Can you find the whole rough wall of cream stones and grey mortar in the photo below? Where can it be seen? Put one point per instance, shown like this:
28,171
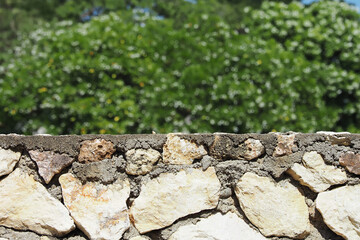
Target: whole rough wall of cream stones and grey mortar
180,186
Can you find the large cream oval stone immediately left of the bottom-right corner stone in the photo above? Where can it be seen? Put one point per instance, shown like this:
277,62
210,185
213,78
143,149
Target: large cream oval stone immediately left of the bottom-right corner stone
277,209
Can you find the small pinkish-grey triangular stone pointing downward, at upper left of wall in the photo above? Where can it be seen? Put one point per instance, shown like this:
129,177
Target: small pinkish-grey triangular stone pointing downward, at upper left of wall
50,163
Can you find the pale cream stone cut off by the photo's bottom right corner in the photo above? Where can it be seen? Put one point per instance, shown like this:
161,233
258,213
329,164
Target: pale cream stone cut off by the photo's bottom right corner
340,209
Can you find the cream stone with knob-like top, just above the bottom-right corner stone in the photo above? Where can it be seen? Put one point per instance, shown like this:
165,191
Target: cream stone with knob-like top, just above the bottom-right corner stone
315,174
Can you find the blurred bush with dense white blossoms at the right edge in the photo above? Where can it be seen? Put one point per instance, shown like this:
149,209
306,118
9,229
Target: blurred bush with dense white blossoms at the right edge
327,35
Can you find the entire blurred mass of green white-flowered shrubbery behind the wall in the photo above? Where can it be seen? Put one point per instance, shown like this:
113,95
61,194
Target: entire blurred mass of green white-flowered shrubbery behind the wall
136,66
